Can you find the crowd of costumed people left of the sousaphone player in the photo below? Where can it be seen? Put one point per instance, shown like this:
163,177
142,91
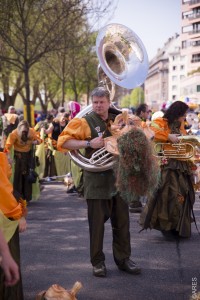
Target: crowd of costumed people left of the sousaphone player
24,159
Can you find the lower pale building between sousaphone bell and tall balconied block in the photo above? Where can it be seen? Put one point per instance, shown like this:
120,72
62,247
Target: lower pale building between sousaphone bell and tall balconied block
161,70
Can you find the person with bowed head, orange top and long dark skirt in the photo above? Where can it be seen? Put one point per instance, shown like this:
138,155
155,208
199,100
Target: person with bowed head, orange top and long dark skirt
22,140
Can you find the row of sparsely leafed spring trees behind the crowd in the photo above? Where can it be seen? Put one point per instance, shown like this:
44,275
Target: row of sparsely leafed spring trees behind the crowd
47,49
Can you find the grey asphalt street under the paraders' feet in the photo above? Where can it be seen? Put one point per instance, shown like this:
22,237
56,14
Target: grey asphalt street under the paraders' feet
55,249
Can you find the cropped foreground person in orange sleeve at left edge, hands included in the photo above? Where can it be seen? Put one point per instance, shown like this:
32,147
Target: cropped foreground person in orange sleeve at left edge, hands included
12,221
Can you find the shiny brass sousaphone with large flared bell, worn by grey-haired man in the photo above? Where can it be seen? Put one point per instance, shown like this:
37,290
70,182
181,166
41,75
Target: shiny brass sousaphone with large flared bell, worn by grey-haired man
123,61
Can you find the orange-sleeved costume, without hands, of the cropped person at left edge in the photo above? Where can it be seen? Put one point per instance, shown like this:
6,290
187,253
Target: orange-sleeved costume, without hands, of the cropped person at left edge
10,212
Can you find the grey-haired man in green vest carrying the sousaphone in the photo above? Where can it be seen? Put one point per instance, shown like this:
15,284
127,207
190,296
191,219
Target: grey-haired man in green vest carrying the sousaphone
99,187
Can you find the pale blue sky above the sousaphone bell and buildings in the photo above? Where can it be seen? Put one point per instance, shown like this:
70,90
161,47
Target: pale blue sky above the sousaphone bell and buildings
154,21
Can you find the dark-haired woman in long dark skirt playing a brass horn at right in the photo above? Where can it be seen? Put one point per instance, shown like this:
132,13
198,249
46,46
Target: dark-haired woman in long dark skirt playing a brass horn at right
172,205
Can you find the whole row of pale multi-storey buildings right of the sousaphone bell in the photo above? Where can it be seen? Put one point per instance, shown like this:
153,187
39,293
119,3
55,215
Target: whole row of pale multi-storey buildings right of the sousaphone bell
174,73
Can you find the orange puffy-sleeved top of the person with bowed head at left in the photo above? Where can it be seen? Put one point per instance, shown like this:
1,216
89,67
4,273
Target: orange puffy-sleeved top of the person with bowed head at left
14,140
